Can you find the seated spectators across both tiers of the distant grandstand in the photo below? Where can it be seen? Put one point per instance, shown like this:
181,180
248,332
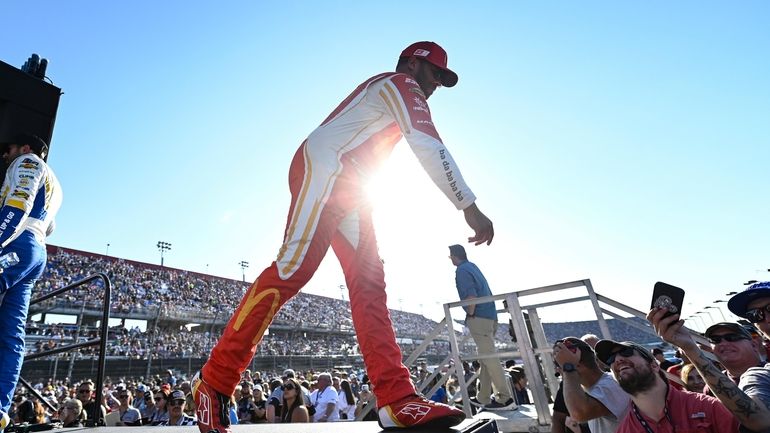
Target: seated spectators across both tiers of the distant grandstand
165,293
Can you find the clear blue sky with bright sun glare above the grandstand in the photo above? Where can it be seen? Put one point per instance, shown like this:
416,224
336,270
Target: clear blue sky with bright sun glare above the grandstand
623,142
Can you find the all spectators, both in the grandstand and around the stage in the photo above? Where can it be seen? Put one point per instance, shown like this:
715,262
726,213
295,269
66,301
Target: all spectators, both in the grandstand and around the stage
738,376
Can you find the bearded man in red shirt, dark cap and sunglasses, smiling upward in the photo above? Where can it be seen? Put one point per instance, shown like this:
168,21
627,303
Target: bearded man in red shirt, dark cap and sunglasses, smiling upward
656,406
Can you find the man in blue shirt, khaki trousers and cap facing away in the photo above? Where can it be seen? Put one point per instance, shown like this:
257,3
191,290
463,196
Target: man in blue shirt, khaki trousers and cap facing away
481,320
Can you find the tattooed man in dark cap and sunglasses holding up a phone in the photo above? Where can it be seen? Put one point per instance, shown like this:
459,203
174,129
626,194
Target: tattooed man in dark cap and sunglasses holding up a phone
749,400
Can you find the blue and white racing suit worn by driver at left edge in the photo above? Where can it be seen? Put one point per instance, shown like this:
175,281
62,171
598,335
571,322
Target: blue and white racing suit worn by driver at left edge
30,197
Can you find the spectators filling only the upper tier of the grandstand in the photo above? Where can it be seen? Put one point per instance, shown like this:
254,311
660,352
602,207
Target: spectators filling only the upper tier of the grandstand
143,290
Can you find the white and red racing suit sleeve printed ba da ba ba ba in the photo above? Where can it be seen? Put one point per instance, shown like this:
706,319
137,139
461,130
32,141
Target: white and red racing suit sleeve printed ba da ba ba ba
407,104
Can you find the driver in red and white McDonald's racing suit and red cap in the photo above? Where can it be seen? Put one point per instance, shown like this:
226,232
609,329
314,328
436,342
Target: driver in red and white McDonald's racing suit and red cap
329,207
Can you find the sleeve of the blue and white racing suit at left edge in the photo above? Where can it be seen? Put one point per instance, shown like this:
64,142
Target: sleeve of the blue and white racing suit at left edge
18,195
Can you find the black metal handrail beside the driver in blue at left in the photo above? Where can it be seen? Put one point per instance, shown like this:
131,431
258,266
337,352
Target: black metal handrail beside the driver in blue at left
95,417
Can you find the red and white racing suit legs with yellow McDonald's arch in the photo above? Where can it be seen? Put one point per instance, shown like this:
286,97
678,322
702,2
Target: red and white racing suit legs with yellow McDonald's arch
327,208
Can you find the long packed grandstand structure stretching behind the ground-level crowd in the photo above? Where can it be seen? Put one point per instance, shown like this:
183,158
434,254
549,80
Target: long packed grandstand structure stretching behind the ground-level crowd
183,313
